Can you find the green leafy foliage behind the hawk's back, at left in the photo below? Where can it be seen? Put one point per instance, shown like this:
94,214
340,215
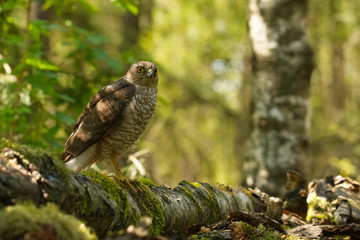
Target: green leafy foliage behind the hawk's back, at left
51,62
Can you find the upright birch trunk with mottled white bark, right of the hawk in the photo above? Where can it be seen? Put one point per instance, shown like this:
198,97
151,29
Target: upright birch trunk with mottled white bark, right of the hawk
282,66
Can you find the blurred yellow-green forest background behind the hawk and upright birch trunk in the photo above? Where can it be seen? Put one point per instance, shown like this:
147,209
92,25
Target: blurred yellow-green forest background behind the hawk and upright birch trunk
55,54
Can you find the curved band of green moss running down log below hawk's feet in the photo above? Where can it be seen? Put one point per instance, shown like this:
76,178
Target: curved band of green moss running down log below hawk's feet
150,204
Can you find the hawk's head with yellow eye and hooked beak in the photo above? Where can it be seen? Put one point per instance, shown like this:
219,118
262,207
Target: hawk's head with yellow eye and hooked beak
143,73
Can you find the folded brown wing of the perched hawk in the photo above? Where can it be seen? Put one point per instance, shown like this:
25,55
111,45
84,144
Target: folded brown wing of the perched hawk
103,110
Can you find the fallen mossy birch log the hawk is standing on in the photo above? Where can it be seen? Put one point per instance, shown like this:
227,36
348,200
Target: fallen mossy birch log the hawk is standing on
108,203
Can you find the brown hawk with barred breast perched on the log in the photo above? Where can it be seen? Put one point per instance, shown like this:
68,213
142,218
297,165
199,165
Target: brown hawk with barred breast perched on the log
114,119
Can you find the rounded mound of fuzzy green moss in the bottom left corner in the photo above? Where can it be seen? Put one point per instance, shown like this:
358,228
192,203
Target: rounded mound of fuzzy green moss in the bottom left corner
21,219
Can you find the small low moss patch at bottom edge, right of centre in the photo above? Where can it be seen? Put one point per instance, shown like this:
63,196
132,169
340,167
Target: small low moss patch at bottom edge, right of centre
242,230
